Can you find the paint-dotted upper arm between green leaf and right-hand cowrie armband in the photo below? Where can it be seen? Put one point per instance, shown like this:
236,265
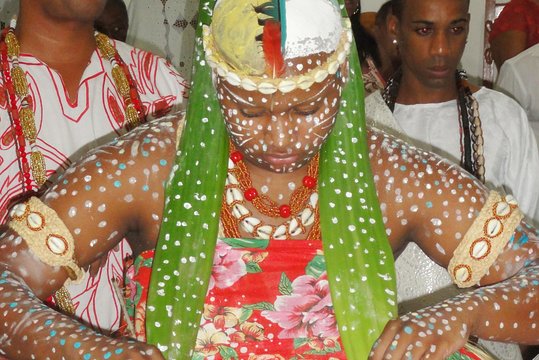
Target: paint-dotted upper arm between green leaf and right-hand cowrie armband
423,197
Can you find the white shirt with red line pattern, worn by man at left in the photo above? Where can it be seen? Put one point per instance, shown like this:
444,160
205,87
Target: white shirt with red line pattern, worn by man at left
68,128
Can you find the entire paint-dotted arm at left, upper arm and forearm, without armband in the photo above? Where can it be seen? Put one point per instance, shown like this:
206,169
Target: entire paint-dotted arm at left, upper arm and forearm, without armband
101,199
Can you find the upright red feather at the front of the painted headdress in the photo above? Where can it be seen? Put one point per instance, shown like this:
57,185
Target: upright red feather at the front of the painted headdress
273,35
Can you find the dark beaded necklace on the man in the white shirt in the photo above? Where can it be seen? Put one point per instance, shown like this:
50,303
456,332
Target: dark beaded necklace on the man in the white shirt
471,133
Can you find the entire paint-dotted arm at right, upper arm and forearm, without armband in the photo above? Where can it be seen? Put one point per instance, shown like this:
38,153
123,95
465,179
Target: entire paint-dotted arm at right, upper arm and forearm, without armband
433,203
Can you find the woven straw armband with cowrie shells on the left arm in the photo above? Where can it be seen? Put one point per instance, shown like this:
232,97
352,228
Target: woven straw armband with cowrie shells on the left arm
46,235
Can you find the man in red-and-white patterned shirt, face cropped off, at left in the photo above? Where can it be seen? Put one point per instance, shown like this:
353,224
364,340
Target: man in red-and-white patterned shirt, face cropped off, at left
75,103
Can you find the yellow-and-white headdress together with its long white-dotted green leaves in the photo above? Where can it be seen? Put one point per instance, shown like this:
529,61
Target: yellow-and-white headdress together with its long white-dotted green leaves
362,283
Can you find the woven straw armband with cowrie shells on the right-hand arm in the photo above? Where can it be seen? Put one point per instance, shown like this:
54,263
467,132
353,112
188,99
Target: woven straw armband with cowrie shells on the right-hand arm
484,240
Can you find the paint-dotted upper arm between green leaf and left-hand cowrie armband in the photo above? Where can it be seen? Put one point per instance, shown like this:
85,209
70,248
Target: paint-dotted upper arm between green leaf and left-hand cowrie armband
117,189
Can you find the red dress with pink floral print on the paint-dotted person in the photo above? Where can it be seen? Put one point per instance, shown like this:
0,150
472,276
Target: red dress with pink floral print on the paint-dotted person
266,300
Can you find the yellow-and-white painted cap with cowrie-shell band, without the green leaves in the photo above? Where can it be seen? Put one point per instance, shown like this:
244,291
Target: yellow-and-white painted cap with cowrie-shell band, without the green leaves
240,45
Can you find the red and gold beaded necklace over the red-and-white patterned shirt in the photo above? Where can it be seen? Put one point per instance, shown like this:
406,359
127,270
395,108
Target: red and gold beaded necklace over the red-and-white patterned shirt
23,119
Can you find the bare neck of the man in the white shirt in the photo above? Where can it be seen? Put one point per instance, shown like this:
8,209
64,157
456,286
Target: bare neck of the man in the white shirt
413,92
